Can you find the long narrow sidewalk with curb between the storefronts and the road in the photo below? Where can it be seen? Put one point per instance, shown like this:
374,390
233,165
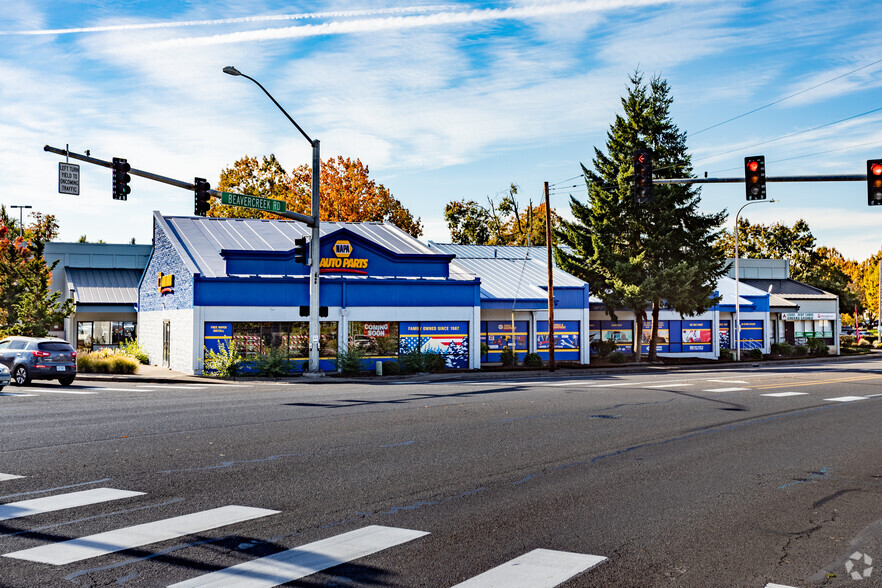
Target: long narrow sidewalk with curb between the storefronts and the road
159,375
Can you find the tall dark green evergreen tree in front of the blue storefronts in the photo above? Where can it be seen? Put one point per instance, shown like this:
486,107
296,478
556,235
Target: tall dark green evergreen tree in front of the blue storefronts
655,255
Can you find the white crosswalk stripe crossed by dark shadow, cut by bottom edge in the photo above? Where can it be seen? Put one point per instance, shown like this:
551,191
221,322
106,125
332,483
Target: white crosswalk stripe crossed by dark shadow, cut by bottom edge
304,560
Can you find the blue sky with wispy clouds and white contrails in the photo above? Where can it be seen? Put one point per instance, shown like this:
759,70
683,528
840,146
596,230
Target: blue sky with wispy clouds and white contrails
441,101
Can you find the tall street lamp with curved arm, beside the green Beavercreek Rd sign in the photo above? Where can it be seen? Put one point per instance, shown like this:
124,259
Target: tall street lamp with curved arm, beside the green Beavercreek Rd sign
314,329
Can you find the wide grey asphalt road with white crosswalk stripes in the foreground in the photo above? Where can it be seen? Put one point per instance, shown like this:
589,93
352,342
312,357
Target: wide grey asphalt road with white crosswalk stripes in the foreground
742,477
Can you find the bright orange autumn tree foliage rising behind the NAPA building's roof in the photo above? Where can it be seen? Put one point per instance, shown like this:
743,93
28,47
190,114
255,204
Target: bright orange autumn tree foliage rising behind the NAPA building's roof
348,194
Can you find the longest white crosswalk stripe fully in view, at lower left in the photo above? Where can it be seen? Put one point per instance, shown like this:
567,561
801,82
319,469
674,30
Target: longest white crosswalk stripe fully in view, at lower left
73,550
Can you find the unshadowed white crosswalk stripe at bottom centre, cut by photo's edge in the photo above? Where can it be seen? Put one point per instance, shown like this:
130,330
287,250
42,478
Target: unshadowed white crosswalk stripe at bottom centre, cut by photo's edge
540,568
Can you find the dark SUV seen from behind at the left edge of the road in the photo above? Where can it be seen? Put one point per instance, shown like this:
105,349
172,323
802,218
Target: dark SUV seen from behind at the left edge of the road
39,358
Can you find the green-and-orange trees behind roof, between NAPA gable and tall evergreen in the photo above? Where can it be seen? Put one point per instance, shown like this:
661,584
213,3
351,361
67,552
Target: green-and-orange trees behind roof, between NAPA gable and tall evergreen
502,223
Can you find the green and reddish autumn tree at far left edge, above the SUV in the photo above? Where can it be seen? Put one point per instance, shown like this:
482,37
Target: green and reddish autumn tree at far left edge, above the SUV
27,304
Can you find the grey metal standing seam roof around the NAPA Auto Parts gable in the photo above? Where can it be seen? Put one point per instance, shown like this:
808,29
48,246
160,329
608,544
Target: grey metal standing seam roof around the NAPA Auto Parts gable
204,238
